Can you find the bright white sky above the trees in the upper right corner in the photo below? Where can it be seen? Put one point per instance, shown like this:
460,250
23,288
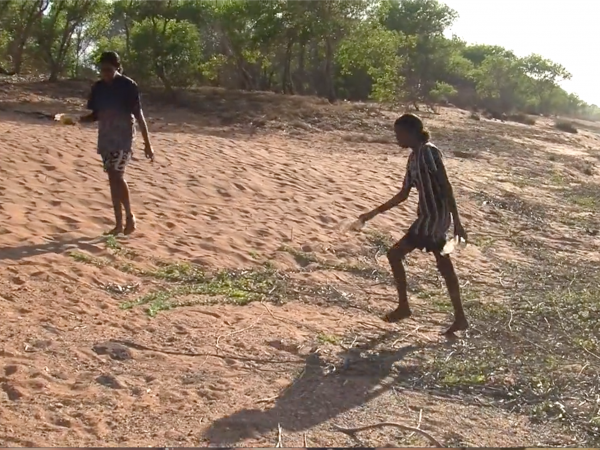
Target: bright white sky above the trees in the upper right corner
565,32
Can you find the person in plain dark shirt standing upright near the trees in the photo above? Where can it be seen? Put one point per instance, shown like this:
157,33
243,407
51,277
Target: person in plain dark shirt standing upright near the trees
115,103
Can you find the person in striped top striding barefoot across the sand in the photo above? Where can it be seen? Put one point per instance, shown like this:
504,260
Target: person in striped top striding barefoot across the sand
436,211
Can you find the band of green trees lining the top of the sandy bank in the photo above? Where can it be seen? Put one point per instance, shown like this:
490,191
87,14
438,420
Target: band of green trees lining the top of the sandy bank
384,50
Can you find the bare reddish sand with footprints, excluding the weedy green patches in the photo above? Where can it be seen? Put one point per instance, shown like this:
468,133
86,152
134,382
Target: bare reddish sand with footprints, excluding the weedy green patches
228,199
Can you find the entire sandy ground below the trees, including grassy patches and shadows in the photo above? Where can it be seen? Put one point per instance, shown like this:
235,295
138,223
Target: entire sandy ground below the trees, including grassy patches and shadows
240,312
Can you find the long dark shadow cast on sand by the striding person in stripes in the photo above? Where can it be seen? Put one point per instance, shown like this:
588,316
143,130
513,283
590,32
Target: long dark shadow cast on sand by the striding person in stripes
315,397
